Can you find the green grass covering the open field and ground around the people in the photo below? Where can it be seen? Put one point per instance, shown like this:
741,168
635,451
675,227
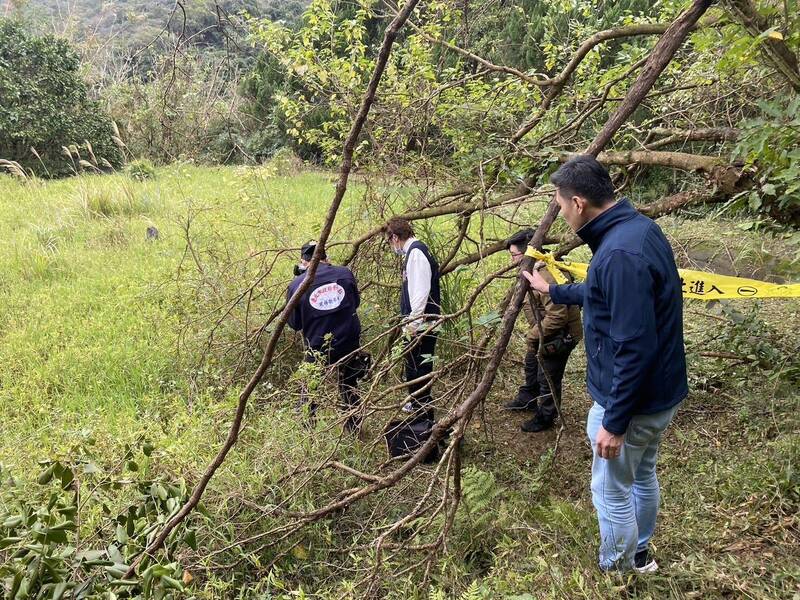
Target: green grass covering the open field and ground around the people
102,331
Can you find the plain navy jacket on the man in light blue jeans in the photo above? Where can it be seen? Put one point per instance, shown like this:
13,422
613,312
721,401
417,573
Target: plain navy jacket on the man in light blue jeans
632,317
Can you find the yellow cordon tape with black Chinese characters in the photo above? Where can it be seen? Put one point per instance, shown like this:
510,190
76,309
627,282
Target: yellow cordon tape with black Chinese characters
696,284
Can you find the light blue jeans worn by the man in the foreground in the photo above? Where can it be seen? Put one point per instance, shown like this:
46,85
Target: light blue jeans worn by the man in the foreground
625,489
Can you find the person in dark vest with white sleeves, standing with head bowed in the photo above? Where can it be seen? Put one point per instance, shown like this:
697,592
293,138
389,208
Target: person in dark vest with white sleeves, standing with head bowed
420,304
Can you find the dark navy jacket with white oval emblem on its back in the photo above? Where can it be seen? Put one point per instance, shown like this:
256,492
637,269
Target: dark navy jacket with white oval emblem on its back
328,308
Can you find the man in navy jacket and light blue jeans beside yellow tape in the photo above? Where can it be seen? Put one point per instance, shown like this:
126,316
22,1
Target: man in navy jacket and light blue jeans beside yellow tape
636,365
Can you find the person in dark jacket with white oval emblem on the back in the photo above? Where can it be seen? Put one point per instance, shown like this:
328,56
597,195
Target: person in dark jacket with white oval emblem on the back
327,317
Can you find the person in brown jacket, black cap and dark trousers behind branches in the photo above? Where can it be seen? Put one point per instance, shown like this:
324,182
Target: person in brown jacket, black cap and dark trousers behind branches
561,327
